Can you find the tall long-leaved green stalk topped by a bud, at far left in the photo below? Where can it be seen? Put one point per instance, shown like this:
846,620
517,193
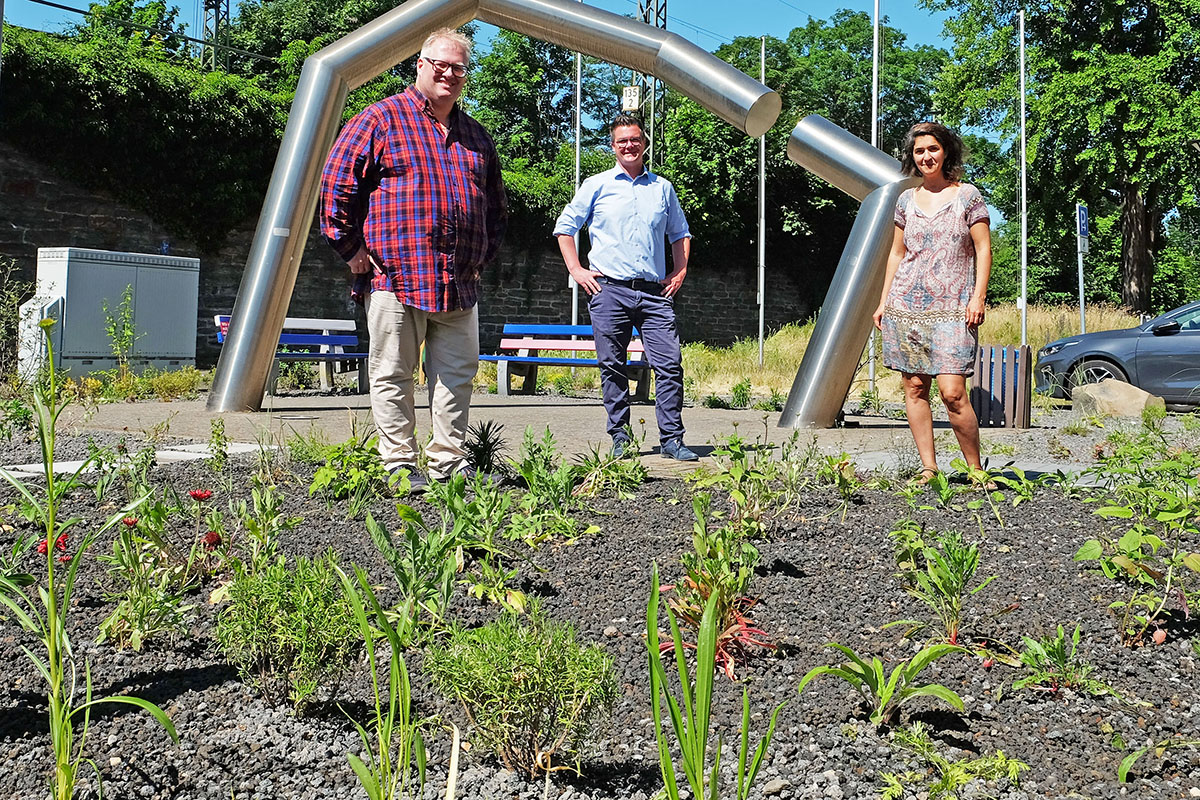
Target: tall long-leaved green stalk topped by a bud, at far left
47,618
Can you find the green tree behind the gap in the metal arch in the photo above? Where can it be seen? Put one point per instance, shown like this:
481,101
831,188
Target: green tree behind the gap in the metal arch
826,69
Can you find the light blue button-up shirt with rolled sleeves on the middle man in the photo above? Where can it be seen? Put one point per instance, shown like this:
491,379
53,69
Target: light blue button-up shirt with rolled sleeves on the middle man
628,220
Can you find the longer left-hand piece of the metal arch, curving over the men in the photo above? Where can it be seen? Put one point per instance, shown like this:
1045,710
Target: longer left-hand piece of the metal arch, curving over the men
313,127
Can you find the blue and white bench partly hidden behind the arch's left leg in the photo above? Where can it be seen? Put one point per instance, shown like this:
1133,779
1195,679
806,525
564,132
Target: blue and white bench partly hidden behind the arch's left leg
333,344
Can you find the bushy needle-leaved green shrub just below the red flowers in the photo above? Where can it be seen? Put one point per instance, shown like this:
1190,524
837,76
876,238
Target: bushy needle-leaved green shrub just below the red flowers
290,629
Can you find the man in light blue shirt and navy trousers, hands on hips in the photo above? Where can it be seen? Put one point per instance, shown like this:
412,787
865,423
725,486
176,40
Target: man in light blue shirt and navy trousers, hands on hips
629,213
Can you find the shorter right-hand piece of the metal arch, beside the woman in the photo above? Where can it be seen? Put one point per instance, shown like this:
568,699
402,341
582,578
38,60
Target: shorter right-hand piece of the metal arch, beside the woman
844,322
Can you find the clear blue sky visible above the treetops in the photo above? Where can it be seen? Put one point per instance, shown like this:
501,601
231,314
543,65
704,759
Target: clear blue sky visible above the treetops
709,23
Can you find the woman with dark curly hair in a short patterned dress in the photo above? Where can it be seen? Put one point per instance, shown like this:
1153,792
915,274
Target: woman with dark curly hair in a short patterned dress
935,290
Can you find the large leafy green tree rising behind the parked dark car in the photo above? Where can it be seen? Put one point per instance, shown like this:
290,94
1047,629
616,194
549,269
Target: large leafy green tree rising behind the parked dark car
1113,109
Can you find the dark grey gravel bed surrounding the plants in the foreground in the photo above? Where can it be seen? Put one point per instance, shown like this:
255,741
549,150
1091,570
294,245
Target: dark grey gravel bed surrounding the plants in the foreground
826,575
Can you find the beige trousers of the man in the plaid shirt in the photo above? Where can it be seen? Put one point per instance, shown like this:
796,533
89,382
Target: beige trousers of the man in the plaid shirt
452,359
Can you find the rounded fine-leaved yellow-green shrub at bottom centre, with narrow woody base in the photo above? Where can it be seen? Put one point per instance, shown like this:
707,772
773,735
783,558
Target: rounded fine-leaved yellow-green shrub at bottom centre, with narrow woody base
532,691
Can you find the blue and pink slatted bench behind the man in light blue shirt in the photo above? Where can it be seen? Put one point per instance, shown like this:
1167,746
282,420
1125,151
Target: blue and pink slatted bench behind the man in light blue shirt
520,347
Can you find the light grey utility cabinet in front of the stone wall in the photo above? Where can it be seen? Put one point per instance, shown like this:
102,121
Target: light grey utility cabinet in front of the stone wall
74,287
